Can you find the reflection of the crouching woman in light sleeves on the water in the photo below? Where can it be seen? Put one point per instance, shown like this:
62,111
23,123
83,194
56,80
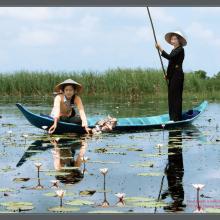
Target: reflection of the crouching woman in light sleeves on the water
66,160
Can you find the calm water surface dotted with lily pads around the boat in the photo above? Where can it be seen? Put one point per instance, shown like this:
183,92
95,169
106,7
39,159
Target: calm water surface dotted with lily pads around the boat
155,178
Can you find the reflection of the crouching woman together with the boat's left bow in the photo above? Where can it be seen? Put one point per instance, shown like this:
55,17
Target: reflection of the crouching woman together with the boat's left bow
64,157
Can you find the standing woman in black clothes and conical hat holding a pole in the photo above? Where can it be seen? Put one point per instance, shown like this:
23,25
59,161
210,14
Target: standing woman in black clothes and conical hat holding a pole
175,74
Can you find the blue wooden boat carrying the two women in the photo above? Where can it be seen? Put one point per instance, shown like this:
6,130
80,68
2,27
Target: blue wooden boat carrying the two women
123,124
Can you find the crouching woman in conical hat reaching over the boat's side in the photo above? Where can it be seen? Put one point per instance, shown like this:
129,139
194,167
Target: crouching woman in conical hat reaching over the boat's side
63,109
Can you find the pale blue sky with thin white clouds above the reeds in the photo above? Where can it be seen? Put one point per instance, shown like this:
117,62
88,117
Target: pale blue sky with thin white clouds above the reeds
99,38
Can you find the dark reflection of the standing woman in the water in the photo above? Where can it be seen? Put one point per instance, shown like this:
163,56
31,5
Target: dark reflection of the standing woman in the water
175,172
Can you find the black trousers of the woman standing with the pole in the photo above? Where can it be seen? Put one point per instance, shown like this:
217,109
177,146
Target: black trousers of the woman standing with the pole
175,92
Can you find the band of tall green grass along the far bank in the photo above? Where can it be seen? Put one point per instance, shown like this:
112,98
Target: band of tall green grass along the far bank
123,82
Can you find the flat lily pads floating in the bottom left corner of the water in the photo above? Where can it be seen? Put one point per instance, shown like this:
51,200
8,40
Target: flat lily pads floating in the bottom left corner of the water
18,206
